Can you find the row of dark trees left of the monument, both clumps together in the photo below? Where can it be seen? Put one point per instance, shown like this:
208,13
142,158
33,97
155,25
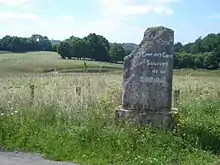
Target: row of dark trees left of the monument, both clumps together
93,46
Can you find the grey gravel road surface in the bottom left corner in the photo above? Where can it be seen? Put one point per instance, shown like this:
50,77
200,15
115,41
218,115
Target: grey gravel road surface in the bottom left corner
20,158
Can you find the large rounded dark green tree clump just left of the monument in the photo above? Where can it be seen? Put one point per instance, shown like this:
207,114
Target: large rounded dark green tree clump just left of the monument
94,47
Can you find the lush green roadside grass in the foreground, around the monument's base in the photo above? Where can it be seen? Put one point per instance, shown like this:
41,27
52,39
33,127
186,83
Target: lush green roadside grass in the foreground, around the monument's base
91,137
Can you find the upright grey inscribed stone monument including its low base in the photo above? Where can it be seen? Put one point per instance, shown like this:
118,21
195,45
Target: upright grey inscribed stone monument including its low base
147,79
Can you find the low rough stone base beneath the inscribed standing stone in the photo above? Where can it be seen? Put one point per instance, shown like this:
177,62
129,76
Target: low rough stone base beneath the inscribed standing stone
158,119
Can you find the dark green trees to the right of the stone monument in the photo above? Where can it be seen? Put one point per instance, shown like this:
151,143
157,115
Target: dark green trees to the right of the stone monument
203,53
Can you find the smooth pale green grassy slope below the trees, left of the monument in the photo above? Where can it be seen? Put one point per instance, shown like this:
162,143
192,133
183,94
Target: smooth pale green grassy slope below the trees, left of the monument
47,61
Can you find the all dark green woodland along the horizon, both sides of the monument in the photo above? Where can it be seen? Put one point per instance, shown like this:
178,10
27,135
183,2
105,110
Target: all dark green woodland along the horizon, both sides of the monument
203,53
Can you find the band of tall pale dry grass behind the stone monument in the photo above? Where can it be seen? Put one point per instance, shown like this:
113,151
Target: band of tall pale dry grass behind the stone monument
61,88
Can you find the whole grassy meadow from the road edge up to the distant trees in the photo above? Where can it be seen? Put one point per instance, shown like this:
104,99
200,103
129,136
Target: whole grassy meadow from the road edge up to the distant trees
71,116
